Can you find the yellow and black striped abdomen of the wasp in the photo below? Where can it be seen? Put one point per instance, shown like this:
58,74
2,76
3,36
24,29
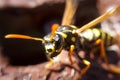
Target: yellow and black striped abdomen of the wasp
90,36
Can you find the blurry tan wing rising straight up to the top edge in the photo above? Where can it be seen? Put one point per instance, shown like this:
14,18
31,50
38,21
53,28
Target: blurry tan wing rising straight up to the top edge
70,9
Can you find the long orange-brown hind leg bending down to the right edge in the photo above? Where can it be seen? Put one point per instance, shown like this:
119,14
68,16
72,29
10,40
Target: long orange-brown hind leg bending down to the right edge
103,55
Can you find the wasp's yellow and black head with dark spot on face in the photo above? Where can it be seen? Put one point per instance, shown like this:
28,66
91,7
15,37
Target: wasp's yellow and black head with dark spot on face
53,47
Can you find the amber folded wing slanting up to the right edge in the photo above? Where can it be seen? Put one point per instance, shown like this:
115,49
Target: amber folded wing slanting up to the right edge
99,19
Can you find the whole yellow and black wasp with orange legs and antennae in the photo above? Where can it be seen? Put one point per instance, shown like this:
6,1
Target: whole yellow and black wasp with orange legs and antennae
74,39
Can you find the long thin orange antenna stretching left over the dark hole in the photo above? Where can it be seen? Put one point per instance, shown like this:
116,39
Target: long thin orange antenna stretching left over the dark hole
22,37
